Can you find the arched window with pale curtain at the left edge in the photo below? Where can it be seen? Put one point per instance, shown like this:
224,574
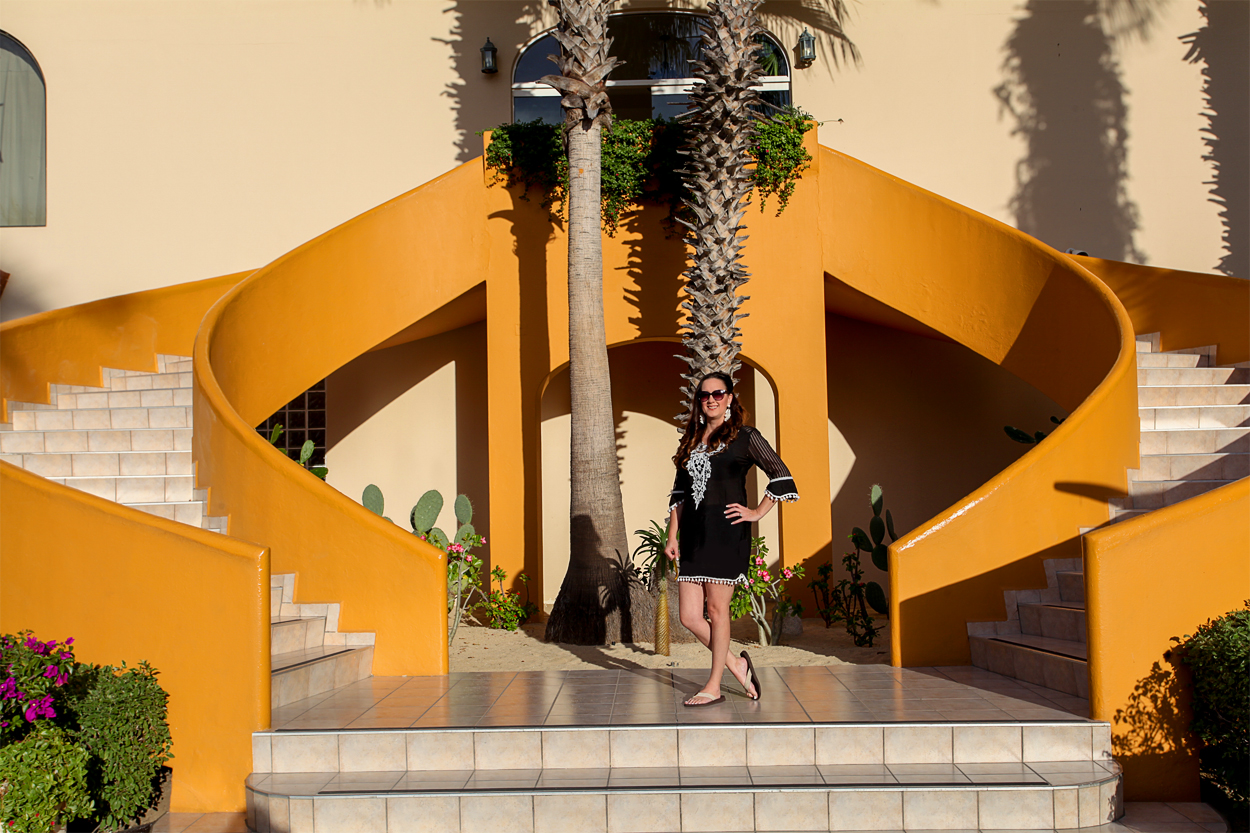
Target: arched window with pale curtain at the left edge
23,162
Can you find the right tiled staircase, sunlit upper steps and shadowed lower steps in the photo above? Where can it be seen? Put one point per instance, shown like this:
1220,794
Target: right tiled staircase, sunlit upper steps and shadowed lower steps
1196,437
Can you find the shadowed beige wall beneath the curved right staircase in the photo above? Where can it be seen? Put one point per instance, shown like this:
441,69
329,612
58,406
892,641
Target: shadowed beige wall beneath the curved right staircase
921,418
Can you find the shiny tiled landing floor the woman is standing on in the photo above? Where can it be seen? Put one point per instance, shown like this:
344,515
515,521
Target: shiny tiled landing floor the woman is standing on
653,697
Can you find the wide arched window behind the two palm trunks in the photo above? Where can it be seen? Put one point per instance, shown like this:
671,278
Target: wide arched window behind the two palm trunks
654,81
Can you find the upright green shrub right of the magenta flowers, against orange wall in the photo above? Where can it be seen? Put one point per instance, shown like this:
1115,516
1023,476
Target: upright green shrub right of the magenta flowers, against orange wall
122,726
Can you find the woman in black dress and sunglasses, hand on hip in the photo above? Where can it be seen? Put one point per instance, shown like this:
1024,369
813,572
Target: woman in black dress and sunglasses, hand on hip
709,506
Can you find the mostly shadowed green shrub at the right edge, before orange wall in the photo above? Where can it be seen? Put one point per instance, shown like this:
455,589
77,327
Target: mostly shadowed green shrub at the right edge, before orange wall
1219,657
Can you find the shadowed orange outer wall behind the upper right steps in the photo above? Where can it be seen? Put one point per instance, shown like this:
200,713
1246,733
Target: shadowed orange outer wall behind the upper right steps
1187,308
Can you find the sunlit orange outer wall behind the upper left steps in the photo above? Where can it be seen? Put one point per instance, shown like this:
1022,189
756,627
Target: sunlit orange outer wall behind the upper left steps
71,346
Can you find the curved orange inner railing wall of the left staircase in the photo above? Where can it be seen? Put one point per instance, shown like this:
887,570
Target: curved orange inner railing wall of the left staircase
293,323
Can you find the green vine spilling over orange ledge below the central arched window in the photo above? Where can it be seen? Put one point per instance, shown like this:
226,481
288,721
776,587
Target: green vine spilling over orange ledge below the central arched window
642,162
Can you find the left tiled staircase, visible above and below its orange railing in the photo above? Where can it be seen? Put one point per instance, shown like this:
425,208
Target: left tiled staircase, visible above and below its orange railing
131,442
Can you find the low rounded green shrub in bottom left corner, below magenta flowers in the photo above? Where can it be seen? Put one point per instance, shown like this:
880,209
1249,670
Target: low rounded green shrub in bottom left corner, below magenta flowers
43,782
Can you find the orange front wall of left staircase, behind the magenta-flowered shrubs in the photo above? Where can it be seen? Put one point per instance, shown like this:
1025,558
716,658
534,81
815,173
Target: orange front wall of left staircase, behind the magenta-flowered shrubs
131,587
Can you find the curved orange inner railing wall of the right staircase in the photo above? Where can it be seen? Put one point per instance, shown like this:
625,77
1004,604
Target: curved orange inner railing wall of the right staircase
1038,316
